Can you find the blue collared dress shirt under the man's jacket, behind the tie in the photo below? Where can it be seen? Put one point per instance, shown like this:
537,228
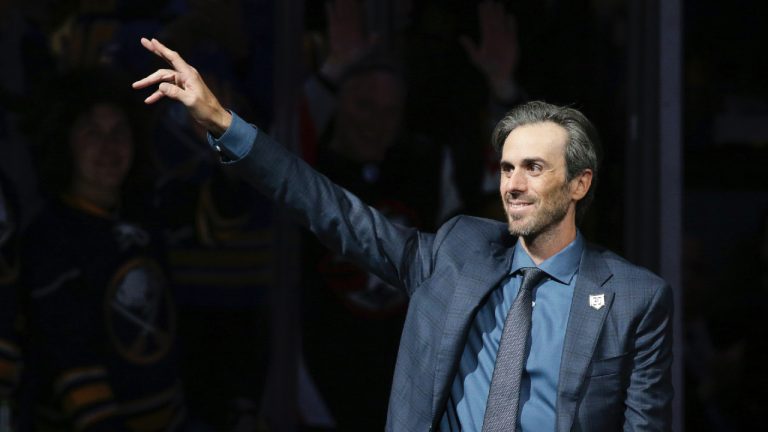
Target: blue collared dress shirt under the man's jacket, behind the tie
538,391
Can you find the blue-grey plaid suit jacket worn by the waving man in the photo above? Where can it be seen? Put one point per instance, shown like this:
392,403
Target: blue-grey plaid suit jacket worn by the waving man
615,369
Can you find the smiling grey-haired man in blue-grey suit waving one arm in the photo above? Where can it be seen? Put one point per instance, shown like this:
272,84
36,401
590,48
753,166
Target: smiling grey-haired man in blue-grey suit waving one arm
595,353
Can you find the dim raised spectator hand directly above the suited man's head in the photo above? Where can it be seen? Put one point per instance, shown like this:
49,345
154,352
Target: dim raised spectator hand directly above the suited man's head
497,53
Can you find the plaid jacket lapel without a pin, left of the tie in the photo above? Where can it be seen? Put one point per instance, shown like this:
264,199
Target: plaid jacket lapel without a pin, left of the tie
476,279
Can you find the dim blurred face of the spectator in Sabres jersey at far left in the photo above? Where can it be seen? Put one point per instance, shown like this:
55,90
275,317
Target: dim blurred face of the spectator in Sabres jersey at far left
102,148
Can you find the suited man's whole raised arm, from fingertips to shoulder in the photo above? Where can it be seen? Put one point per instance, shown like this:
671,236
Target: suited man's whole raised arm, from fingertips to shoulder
401,256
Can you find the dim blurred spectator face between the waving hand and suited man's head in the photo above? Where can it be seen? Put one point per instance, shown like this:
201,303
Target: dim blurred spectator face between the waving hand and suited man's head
369,116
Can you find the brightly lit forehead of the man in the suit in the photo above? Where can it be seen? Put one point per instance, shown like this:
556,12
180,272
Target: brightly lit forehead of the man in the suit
545,140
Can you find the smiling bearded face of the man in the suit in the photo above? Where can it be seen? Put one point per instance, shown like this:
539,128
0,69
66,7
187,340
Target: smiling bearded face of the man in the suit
536,197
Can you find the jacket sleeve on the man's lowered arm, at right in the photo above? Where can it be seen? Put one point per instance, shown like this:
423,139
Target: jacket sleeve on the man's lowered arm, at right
649,395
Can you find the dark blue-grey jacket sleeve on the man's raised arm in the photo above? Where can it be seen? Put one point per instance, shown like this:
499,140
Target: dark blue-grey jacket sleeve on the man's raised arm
343,223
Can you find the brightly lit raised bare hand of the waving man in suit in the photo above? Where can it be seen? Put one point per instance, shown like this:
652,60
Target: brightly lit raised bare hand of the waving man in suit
184,84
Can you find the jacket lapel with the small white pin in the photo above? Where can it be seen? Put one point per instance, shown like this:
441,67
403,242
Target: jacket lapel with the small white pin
582,333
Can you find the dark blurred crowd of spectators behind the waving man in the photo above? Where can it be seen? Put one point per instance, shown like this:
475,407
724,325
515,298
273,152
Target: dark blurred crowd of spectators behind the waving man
136,280
